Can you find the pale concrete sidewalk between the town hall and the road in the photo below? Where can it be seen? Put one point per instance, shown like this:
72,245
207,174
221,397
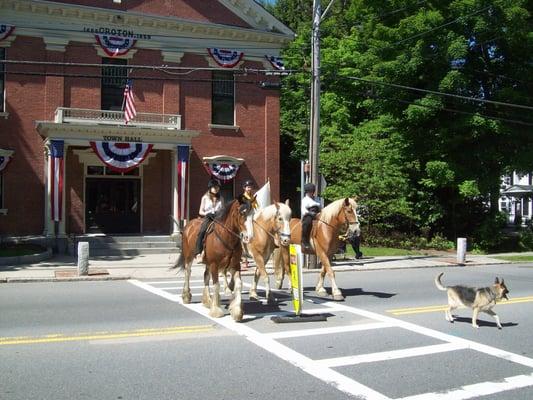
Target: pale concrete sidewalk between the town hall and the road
156,266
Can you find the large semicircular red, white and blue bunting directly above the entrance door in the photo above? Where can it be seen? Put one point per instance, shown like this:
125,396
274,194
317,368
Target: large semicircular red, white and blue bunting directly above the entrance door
121,157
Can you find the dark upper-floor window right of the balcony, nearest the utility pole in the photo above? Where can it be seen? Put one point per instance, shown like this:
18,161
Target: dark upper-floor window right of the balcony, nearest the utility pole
223,98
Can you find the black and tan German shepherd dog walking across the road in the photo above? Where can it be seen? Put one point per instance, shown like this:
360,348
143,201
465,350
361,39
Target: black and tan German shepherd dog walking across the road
478,299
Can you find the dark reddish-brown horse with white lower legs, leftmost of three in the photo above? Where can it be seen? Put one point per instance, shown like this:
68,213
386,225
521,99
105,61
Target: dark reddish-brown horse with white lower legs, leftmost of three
223,251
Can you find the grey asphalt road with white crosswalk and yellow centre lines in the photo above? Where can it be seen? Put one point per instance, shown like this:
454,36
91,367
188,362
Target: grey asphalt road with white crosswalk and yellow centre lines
388,340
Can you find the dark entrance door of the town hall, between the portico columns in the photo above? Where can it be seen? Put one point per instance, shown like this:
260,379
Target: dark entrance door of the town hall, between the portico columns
113,205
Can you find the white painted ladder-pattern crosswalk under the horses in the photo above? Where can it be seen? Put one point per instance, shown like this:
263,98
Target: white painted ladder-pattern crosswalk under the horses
329,370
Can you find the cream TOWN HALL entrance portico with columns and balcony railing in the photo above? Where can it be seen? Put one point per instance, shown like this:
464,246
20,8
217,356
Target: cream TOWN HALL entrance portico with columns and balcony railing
79,127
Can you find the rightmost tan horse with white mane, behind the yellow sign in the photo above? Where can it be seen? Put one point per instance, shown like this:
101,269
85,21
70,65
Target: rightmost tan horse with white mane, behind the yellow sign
337,219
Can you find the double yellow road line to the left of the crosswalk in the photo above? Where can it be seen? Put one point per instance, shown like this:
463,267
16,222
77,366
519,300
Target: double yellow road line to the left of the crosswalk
56,338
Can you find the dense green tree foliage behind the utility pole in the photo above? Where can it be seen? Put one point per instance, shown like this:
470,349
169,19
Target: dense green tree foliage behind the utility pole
416,159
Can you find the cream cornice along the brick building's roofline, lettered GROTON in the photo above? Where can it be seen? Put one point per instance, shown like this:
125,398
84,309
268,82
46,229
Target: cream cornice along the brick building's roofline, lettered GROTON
39,18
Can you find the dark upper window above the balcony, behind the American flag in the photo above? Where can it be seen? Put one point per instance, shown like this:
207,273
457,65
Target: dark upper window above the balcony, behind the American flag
113,82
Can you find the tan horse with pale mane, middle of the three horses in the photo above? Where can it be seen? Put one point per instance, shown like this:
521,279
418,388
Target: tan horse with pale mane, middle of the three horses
271,230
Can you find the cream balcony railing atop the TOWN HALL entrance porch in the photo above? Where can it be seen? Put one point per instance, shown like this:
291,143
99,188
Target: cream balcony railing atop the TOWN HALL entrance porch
116,118
